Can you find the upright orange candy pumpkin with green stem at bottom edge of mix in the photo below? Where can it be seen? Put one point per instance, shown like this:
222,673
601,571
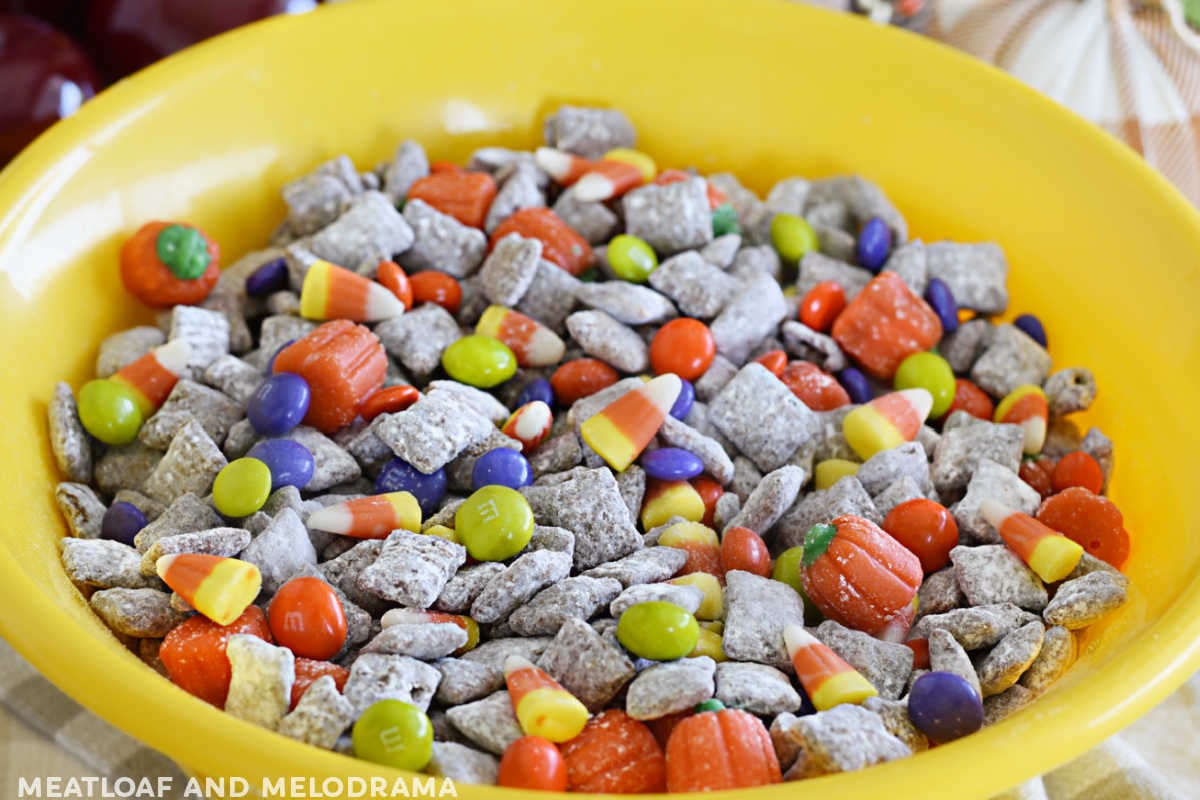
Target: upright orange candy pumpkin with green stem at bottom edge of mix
727,749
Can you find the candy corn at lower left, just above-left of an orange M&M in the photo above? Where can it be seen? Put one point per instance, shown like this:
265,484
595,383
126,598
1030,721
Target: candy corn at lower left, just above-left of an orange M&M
220,588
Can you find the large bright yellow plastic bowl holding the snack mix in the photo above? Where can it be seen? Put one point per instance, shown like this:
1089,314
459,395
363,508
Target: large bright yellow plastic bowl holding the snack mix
1101,248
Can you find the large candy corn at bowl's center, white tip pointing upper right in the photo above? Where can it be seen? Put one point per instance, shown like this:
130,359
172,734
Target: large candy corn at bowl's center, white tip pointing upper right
621,432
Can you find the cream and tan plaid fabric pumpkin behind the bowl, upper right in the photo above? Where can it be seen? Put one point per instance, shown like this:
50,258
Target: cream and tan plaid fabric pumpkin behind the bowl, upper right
1130,67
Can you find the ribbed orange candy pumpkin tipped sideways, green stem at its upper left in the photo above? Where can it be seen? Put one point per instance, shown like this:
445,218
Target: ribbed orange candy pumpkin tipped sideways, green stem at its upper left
860,576
